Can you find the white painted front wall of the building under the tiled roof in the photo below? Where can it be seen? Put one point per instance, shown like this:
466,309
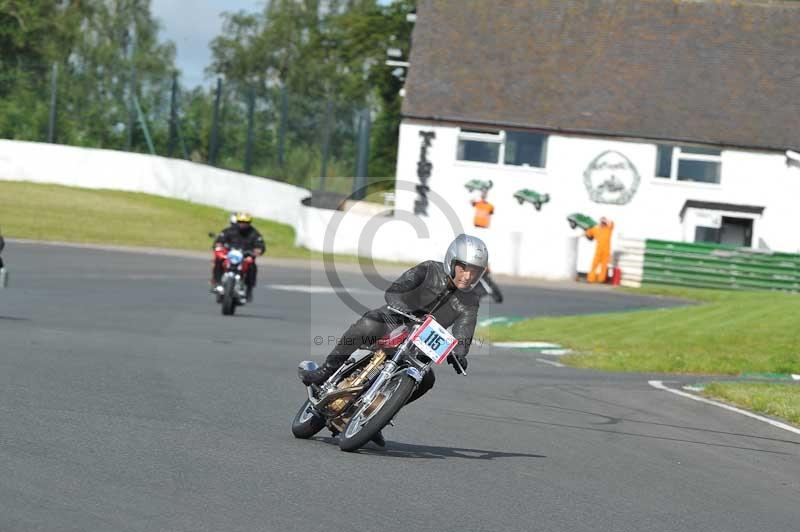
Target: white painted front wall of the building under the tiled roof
748,178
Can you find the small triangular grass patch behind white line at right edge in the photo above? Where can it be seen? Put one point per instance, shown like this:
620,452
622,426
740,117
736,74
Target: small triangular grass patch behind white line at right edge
773,399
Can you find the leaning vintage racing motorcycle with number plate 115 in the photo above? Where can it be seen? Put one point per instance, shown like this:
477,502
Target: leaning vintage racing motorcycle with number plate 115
365,394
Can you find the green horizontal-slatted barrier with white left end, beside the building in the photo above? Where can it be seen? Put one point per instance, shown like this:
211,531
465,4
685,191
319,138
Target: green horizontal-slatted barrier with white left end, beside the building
707,266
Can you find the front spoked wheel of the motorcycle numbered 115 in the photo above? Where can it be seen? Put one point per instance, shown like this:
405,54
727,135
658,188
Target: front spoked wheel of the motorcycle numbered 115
371,418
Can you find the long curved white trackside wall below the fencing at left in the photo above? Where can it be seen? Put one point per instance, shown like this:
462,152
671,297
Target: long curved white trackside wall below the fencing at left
172,178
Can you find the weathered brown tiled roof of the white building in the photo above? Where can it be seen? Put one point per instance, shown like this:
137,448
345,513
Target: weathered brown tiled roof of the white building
717,72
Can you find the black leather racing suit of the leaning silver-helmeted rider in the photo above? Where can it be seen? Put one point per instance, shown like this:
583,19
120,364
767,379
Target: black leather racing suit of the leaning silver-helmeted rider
424,289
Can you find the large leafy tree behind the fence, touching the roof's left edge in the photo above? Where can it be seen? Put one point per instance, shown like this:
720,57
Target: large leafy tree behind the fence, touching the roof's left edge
323,56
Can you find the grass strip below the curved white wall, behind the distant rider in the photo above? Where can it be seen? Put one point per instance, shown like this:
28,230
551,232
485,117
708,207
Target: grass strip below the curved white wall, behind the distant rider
56,213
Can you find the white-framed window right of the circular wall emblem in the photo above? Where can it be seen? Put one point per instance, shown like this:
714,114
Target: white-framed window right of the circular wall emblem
686,163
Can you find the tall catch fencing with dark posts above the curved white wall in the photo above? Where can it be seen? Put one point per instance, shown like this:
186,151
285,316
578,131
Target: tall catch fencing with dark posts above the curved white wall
262,131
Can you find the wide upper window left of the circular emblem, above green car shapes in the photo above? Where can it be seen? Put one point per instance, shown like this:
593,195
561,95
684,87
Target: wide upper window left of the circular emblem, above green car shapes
513,148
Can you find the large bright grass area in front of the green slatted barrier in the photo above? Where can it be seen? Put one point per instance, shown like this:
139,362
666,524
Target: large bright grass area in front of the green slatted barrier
728,333
